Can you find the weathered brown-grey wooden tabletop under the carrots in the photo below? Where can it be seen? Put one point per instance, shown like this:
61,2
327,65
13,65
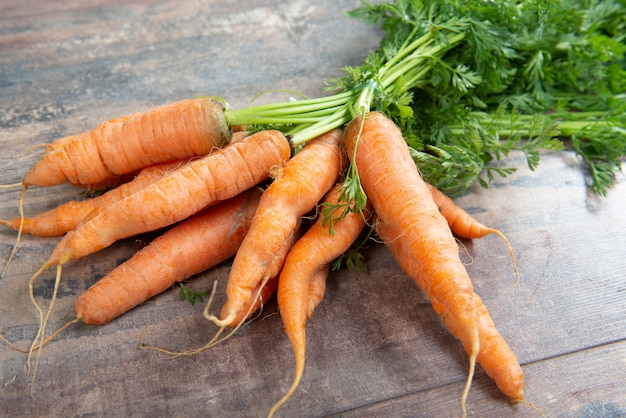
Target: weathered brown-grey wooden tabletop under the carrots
375,346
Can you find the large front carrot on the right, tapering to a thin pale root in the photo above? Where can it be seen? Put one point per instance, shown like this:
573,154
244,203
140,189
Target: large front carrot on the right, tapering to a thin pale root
404,204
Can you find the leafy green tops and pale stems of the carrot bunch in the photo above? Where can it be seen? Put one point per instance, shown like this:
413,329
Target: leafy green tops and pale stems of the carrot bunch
470,81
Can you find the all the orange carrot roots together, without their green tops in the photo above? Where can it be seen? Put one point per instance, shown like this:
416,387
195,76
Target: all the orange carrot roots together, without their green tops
218,210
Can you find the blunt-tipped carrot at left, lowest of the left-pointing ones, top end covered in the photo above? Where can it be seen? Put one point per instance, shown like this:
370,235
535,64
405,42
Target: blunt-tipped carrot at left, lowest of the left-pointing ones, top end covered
191,247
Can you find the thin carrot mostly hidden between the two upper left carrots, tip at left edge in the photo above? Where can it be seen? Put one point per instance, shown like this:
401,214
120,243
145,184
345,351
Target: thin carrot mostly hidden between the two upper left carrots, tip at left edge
65,217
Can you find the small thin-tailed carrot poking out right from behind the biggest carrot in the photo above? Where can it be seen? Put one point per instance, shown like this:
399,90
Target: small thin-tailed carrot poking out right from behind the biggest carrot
463,224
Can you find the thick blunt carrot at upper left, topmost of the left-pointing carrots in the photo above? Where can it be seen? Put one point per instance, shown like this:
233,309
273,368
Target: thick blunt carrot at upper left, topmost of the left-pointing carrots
175,131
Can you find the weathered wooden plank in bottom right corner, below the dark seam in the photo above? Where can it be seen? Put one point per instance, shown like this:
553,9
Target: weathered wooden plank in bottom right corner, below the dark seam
593,389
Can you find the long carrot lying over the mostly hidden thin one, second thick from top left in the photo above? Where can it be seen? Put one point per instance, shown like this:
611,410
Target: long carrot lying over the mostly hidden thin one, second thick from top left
204,181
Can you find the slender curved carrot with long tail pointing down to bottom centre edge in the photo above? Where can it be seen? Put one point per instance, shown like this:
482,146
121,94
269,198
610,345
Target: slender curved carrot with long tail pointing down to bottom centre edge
302,281
